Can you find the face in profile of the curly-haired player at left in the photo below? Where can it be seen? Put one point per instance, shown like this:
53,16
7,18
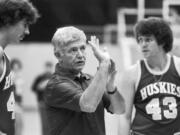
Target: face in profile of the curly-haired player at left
18,31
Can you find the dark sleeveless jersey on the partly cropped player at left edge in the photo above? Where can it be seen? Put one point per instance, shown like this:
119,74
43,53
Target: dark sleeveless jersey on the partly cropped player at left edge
7,102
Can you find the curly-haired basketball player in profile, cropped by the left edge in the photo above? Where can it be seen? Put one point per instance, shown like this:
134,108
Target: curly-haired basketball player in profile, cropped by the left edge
15,18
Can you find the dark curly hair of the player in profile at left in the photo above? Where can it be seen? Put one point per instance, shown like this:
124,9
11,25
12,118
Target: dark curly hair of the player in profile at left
13,11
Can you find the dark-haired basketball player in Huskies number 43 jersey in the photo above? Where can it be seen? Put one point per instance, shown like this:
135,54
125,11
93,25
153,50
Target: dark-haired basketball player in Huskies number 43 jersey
153,84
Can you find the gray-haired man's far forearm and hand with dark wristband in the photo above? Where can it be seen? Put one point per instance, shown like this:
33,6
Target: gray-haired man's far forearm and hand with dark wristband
117,104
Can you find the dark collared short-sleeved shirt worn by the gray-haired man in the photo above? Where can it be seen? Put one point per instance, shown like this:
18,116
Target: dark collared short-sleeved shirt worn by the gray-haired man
63,110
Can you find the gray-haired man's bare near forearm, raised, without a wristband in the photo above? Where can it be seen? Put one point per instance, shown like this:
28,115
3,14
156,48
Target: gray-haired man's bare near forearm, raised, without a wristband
93,94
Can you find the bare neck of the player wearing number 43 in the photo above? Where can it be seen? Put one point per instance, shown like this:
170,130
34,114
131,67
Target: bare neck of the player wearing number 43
158,63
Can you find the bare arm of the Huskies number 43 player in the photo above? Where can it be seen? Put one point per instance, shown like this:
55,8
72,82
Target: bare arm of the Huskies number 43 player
127,89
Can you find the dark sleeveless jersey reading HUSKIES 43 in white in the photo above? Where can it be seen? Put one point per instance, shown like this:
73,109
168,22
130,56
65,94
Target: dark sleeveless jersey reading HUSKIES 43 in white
157,102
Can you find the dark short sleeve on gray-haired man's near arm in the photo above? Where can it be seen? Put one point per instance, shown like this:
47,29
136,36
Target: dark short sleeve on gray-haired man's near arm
63,93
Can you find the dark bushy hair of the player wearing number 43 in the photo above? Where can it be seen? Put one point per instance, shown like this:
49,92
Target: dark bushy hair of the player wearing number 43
157,27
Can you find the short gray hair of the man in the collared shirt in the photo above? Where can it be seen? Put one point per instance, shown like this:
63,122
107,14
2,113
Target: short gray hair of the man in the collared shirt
66,35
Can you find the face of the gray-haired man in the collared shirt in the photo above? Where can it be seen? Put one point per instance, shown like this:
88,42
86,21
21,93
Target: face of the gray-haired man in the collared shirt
74,56
